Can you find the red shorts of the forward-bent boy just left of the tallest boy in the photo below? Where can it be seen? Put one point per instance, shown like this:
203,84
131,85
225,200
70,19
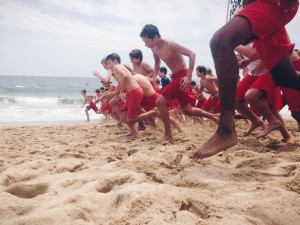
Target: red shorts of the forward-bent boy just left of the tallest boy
133,102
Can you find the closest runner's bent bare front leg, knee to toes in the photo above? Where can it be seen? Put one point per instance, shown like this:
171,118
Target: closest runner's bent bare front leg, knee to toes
235,32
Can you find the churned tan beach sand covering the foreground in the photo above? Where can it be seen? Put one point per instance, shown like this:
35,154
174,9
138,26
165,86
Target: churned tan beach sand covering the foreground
93,174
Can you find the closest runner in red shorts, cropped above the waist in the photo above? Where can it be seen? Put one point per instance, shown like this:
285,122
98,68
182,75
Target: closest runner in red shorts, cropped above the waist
262,21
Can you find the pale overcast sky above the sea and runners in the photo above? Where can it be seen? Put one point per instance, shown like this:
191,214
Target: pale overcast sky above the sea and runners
70,37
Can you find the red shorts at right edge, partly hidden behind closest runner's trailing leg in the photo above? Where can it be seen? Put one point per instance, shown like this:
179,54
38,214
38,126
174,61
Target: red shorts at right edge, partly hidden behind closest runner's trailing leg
291,96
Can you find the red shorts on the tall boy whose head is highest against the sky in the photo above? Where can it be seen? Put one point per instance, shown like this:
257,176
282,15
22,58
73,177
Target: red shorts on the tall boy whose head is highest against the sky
172,89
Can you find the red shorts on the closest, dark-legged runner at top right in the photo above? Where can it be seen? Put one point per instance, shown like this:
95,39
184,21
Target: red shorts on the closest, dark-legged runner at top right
267,20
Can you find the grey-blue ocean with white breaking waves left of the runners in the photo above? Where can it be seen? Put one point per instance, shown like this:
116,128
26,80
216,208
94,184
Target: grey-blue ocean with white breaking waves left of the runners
39,99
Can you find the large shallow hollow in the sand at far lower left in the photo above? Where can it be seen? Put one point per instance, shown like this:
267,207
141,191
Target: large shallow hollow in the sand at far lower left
23,190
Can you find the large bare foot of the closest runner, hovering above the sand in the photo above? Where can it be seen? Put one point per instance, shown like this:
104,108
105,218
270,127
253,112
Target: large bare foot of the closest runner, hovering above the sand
217,143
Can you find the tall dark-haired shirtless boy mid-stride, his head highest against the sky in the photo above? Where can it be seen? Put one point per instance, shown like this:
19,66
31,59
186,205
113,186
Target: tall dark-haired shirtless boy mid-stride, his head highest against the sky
172,54
